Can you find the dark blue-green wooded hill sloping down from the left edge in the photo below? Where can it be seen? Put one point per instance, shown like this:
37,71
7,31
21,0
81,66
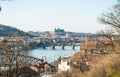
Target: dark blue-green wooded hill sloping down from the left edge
8,30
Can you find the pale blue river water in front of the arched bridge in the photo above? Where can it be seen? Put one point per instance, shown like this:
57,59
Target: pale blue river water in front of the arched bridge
50,54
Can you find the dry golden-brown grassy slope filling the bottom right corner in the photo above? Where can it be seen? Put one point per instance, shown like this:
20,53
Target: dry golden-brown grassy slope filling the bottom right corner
108,66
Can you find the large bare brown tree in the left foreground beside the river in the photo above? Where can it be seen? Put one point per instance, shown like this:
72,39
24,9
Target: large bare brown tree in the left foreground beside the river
14,55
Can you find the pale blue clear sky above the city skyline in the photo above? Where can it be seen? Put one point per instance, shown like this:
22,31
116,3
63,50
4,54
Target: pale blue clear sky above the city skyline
46,15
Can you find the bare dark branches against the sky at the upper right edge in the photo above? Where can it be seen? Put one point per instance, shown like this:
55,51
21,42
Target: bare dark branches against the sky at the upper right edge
112,17
